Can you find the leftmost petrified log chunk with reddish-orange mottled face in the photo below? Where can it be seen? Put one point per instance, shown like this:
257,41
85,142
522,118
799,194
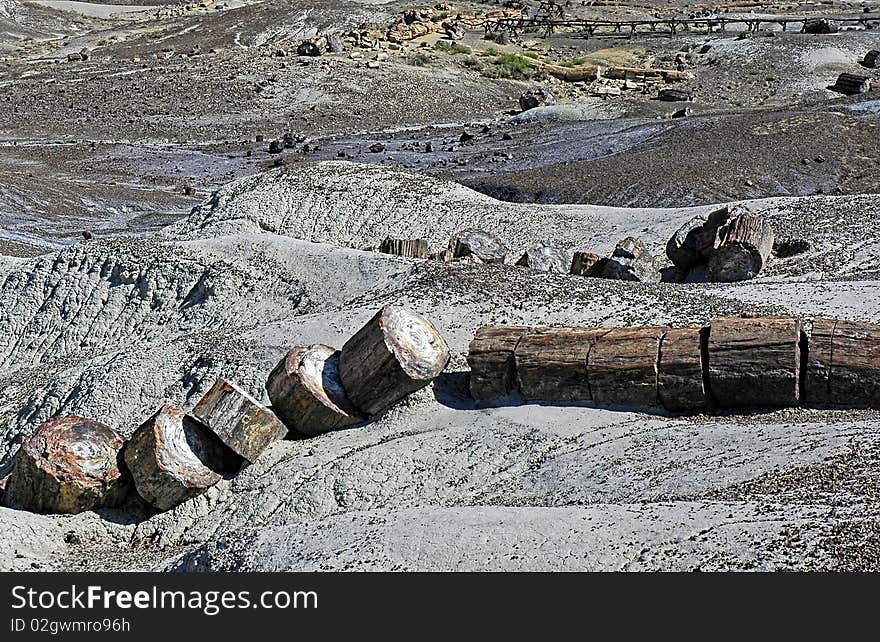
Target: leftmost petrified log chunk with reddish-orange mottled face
68,465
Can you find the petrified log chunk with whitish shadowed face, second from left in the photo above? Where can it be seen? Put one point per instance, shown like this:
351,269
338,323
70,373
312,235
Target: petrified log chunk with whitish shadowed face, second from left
173,458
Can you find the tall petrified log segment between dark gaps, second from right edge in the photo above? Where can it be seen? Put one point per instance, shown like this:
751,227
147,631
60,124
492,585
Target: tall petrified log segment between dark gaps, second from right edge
754,362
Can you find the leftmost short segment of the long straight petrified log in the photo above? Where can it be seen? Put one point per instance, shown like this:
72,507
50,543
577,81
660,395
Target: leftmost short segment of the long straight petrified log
492,362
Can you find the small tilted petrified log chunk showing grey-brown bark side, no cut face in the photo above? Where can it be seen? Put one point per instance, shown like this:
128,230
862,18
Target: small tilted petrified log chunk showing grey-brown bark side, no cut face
239,420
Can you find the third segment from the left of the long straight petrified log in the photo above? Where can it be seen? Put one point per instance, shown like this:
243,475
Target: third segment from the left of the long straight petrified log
622,367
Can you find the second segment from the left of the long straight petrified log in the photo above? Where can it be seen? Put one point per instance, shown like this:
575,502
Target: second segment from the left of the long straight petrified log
551,364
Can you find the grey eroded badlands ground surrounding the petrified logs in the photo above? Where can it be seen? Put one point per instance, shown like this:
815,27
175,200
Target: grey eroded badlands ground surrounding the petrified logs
205,255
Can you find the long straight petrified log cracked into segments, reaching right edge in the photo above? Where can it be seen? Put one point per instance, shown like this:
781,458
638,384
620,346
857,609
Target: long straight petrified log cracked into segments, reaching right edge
736,363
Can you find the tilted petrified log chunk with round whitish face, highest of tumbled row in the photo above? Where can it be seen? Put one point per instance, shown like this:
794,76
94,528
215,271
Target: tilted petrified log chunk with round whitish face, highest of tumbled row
395,354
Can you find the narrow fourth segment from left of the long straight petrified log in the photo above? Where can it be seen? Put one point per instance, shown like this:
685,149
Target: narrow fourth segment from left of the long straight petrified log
680,384
